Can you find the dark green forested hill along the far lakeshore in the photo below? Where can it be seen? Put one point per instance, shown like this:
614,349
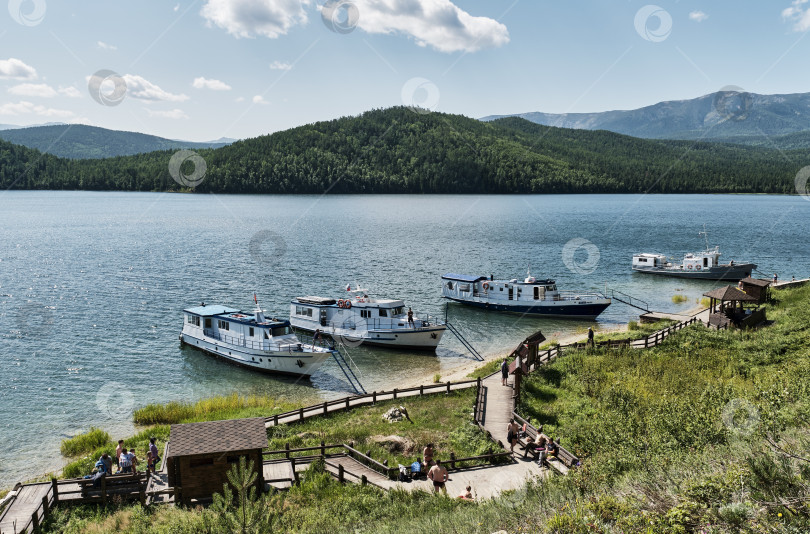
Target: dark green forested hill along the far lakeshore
399,151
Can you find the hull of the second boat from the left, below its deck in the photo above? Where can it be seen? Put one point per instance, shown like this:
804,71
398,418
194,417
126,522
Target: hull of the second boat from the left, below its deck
426,339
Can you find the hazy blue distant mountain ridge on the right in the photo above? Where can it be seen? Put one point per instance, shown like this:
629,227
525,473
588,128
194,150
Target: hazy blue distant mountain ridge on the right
733,116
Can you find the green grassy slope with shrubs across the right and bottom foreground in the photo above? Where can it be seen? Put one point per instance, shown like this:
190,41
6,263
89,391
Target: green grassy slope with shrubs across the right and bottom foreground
672,441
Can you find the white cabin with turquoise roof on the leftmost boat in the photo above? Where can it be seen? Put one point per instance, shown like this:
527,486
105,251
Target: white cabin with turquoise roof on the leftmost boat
229,325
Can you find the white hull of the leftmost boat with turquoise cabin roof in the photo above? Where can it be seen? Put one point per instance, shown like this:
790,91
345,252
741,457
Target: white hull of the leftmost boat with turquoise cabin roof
291,363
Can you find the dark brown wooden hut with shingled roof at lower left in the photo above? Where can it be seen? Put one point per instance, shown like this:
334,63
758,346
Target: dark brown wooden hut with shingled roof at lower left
201,454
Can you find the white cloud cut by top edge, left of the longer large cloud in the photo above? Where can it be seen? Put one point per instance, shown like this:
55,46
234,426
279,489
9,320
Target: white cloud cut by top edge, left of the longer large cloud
246,18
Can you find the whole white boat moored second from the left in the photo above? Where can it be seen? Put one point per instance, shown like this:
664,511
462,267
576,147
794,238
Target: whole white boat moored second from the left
361,319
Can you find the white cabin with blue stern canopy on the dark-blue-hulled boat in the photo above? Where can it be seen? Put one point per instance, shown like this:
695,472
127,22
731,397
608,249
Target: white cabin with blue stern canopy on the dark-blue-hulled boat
463,287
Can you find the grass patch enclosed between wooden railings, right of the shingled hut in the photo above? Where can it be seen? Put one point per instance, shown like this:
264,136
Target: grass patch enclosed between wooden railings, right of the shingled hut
444,420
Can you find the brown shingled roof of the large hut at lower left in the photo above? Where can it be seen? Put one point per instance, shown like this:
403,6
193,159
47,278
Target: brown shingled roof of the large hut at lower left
213,437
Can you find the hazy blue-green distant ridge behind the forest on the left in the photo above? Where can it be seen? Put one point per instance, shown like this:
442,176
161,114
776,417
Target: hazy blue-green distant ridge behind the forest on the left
79,141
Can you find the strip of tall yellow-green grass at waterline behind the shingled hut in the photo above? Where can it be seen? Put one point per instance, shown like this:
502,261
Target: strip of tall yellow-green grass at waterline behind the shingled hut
215,408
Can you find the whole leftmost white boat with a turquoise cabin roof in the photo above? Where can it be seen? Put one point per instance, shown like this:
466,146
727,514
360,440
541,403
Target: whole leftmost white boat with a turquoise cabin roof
250,340
